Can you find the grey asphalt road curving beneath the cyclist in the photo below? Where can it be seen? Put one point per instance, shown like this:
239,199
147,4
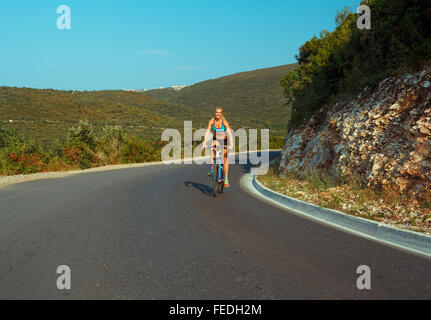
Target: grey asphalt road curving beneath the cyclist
157,233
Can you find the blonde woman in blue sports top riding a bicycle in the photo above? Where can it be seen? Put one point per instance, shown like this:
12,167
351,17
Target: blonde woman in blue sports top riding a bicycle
222,135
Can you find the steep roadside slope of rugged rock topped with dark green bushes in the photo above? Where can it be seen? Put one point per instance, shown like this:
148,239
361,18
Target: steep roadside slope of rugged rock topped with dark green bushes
361,104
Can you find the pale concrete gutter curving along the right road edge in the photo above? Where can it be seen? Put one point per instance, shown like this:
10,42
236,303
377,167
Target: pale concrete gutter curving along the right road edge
405,240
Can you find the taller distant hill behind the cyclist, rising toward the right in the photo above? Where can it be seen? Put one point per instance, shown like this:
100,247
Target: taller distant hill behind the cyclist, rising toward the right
251,99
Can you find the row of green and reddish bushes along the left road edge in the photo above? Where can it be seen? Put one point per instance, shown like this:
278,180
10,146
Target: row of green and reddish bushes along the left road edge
81,148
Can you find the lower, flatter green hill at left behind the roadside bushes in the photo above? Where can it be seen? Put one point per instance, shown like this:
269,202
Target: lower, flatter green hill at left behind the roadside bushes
46,115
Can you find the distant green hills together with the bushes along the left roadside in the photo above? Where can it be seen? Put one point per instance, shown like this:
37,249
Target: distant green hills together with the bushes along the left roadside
41,130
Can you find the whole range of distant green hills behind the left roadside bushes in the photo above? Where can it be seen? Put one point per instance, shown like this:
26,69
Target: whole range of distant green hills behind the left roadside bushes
251,100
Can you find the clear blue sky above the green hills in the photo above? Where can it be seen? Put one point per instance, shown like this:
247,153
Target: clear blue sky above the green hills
138,44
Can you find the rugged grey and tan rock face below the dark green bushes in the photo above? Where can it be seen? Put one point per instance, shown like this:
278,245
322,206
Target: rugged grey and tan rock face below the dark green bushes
383,136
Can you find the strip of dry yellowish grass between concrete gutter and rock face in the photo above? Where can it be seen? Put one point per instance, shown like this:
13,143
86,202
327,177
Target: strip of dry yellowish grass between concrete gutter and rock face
350,197
